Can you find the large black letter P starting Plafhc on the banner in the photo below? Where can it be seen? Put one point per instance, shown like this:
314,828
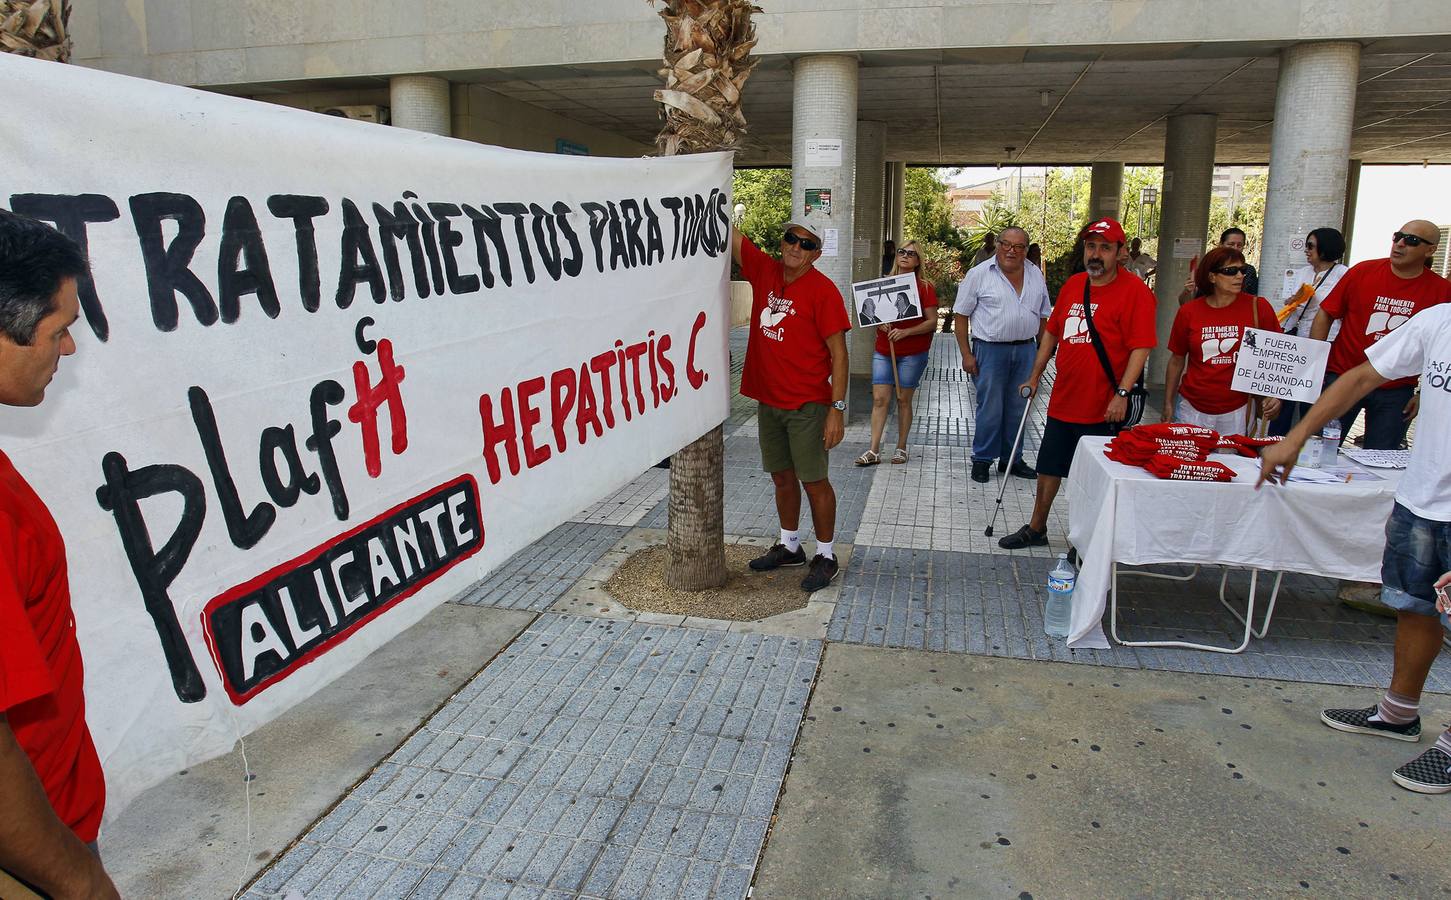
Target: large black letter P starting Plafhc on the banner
156,570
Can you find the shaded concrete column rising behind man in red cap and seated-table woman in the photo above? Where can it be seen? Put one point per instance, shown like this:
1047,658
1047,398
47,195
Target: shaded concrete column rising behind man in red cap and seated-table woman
1189,179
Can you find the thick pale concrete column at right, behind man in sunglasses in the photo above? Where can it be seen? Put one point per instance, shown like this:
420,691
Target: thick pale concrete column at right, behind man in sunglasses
1310,153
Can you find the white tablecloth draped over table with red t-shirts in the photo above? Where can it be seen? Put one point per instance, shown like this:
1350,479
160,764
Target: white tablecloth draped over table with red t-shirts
1124,515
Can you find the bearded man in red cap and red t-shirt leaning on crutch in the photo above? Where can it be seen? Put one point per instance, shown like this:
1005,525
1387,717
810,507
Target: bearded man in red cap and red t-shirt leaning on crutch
1085,401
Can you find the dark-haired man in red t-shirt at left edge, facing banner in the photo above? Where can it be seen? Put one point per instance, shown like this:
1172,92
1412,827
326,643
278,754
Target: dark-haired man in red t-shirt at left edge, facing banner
52,786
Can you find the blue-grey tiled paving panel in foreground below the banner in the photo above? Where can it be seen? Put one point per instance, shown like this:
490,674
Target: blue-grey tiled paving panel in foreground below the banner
593,760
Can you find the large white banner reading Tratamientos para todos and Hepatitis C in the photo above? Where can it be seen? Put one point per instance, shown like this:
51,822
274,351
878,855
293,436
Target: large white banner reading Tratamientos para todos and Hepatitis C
329,375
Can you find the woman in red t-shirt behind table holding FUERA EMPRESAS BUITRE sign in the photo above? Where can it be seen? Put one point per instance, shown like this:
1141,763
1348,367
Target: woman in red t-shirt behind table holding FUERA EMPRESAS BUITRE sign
1205,342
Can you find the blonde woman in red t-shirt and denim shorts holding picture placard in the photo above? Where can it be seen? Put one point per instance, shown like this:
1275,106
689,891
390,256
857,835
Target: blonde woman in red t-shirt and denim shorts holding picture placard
913,340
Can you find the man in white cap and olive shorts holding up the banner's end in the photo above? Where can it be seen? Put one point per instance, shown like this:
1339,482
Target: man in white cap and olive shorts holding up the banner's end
796,371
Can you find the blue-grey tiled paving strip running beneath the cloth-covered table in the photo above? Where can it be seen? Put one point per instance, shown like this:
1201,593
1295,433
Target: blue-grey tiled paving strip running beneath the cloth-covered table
992,605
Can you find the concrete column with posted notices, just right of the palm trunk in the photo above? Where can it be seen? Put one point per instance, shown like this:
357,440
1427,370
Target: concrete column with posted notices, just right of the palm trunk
823,118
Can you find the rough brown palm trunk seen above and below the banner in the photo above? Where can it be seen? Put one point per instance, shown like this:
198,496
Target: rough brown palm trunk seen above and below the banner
707,62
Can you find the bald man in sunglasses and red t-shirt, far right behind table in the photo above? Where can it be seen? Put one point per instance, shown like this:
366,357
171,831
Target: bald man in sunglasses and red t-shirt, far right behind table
1373,300
